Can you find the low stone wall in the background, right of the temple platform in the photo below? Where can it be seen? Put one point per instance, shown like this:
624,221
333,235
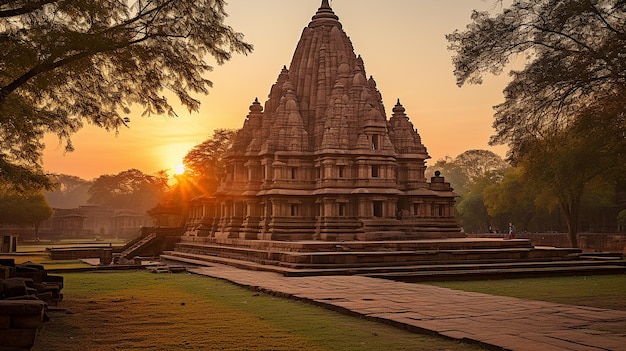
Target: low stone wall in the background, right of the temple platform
589,242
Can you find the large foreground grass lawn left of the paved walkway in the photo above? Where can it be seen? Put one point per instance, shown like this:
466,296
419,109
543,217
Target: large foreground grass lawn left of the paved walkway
138,310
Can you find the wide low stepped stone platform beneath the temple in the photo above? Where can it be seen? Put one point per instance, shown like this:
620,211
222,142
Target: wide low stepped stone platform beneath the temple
407,260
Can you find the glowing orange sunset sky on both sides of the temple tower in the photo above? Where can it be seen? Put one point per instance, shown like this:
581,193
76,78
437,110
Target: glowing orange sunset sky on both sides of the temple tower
403,47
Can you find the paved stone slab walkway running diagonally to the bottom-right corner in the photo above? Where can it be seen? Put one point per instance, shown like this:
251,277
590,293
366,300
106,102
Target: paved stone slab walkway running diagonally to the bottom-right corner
503,322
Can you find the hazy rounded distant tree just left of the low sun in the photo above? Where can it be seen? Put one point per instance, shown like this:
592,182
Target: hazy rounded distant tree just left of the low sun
130,189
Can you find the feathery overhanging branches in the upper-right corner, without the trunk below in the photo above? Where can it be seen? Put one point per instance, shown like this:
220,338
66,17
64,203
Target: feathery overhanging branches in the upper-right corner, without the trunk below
575,65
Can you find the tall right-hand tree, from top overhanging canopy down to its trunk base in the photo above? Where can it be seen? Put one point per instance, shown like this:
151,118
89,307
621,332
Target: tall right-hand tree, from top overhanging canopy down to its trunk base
572,84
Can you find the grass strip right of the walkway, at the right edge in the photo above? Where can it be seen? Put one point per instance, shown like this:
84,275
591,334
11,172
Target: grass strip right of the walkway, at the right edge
602,291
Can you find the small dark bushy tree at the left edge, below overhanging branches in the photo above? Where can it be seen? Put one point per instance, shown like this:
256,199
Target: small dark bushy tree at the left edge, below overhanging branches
24,208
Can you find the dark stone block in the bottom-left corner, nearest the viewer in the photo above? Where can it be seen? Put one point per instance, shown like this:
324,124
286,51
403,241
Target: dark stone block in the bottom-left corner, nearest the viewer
19,322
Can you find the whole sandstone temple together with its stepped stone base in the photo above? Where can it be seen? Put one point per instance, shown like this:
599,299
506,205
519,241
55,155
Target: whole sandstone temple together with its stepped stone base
319,181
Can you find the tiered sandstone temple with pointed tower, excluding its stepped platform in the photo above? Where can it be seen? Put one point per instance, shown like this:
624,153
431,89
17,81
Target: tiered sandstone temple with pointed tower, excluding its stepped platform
321,161
